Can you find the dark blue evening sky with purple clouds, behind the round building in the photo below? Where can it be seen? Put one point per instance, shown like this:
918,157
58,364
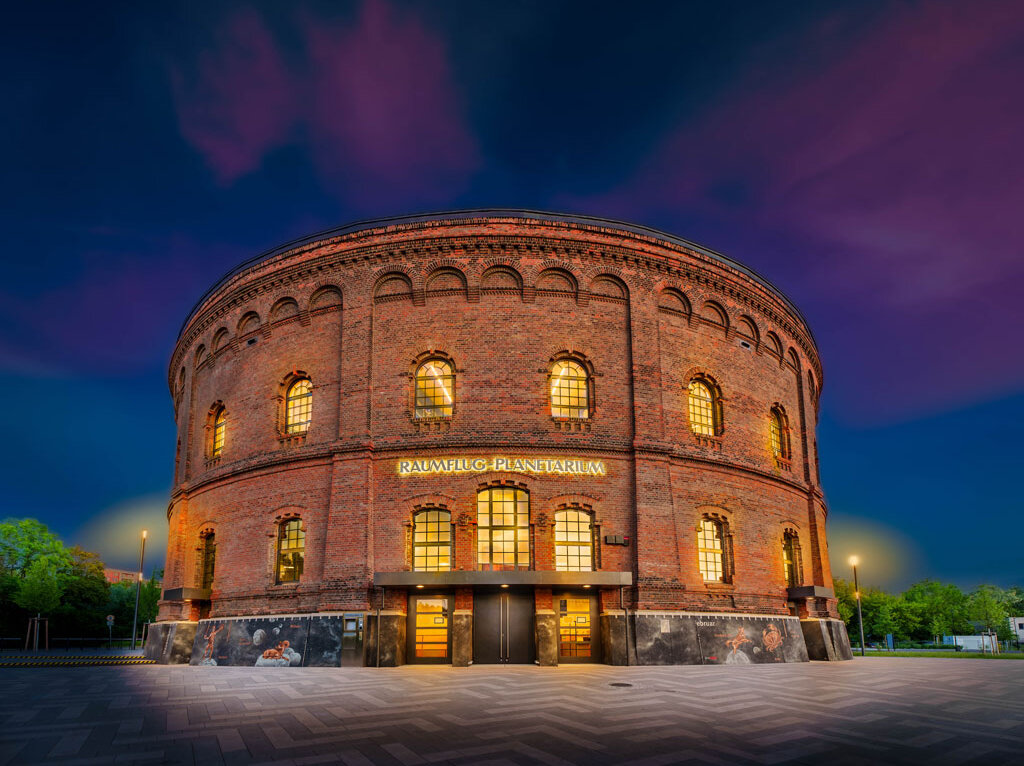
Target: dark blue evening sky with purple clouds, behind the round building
865,157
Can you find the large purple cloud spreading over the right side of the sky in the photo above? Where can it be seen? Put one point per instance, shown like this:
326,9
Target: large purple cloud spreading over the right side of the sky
885,158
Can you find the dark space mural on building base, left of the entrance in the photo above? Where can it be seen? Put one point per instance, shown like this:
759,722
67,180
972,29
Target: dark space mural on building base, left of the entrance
272,643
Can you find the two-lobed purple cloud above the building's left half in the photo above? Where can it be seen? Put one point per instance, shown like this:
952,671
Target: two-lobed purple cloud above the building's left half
374,100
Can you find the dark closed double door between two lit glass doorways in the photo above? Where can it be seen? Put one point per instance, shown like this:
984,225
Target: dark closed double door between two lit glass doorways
503,627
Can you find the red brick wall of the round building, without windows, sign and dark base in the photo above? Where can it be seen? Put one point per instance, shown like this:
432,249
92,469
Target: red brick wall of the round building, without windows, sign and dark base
501,297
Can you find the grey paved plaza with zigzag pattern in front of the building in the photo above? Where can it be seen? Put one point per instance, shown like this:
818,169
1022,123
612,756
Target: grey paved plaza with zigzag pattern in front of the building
890,711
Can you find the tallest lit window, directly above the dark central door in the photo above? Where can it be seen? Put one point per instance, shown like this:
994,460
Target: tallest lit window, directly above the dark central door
503,529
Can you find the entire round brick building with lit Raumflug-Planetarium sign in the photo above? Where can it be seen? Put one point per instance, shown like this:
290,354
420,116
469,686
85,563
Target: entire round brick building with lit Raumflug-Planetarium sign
496,437
